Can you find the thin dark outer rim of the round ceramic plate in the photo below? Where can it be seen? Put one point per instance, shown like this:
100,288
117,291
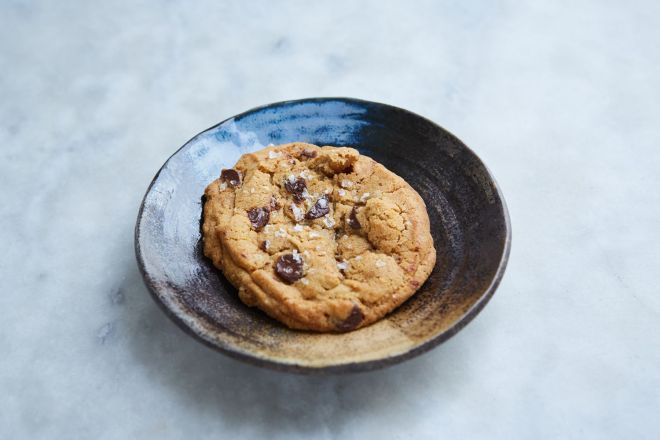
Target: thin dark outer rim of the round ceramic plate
350,367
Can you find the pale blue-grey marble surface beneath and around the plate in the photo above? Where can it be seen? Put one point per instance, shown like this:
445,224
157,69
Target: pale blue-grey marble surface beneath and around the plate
560,99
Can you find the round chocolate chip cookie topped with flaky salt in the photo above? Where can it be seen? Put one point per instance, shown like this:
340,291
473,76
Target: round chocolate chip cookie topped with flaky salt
319,238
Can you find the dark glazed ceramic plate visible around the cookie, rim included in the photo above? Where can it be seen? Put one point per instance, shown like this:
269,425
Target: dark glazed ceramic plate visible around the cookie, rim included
469,224
